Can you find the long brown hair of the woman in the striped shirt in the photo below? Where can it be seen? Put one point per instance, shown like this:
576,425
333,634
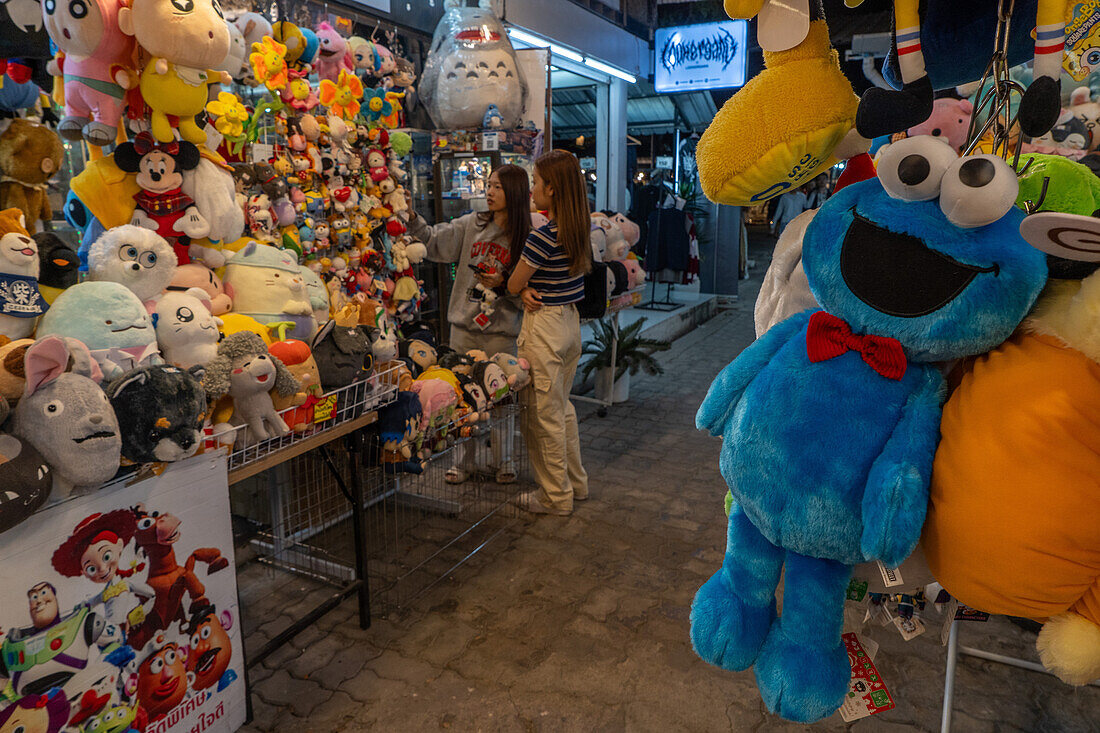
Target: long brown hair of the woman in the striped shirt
562,173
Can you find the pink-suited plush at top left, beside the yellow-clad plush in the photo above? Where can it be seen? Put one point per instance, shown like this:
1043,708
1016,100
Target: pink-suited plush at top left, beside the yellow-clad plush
95,67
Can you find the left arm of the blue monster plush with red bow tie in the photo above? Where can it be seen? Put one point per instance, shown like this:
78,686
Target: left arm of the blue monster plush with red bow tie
731,384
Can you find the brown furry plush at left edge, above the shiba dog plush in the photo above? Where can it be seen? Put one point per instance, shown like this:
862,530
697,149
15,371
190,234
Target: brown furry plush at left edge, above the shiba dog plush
30,155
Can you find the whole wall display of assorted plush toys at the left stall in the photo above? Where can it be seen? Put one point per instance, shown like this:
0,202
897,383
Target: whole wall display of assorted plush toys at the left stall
244,248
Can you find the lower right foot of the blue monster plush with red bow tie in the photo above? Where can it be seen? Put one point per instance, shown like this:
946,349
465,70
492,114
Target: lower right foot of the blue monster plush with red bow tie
801,683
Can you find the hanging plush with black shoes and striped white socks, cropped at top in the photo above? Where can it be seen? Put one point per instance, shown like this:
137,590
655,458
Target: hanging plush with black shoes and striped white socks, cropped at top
958,41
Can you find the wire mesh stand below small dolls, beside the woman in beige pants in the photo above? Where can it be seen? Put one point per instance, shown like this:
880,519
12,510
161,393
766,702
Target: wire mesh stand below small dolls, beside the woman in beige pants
420,529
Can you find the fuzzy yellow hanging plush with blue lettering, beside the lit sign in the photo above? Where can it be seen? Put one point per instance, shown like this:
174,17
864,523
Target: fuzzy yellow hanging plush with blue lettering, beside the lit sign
785,127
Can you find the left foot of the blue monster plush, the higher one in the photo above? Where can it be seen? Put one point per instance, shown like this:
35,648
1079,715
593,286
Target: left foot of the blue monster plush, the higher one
725,631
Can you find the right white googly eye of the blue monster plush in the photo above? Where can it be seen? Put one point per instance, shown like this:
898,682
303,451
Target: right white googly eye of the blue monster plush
978,191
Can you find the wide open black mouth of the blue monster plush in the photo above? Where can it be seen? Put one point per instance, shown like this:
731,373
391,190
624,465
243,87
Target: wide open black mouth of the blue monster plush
898,275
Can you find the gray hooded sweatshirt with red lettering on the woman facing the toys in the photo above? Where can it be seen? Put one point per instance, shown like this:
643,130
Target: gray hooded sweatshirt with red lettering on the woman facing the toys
467,243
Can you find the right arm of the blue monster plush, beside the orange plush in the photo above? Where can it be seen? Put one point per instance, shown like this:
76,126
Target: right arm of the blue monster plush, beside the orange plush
896,498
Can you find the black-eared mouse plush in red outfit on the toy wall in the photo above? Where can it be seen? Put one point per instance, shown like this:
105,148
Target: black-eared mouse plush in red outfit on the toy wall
162,206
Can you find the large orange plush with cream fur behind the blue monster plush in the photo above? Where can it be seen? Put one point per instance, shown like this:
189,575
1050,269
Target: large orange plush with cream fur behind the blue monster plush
1014,524
